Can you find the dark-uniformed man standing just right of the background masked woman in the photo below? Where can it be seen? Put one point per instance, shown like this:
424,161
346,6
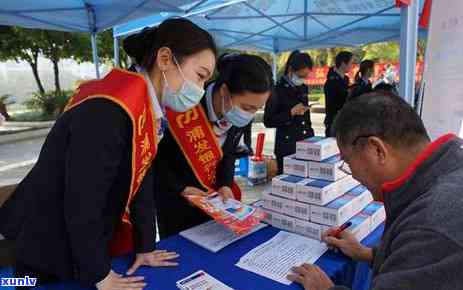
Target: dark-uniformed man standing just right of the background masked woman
336,88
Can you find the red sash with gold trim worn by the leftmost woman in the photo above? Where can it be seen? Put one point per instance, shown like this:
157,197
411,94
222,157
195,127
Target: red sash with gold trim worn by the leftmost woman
128,90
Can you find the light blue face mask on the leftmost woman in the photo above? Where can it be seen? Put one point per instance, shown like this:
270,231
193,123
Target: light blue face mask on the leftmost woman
184,99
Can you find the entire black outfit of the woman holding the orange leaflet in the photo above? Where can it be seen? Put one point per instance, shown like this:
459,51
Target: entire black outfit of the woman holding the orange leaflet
173,213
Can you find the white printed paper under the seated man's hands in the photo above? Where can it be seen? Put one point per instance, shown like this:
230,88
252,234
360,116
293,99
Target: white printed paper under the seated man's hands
275,258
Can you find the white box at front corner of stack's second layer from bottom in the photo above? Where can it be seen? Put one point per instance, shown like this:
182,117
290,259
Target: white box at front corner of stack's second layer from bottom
335,213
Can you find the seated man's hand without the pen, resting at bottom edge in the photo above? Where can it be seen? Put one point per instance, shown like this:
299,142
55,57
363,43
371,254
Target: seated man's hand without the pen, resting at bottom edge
311,277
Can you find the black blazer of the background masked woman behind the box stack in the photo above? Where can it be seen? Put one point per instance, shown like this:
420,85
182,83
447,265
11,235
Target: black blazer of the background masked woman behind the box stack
278,115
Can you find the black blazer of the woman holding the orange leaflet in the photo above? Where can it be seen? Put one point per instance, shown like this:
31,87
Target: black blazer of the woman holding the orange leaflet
175,176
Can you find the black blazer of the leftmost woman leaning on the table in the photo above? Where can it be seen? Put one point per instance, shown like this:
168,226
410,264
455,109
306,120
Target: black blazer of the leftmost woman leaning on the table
63,214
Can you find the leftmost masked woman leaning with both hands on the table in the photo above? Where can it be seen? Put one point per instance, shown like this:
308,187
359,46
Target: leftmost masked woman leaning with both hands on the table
90,195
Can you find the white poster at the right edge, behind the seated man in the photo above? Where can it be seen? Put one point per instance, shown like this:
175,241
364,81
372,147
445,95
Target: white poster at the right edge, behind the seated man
442,100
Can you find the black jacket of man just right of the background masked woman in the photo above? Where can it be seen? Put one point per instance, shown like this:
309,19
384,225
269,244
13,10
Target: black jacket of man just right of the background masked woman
336,92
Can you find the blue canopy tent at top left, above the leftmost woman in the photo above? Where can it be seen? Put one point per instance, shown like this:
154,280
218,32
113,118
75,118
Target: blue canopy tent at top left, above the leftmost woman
90,16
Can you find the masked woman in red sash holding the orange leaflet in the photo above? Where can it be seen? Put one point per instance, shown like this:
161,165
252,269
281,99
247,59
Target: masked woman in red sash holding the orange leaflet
203,141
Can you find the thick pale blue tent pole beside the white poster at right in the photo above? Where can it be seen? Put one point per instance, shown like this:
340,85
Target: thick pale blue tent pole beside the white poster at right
408,49
